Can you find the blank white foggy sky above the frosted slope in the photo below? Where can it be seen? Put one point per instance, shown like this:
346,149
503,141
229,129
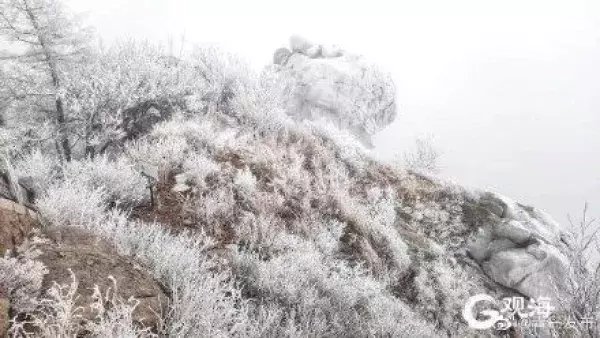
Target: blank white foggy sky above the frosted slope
509,89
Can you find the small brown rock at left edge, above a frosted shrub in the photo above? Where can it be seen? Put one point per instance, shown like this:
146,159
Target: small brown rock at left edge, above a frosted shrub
16,222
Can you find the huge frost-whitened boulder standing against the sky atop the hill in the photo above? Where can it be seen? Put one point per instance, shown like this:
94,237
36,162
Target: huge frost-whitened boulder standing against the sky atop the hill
343,88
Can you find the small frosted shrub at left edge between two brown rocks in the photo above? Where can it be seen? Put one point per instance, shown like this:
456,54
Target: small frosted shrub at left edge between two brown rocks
21,279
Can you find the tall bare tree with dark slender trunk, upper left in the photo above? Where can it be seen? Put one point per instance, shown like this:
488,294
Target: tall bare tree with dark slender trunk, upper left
44,39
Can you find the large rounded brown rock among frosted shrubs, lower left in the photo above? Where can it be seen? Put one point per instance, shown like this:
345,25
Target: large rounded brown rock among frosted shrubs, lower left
94,261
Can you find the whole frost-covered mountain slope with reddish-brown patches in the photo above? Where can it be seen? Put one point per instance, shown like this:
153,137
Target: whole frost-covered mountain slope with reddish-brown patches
260,223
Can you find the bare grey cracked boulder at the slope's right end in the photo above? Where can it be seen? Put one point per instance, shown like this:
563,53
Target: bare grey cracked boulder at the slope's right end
519,247
